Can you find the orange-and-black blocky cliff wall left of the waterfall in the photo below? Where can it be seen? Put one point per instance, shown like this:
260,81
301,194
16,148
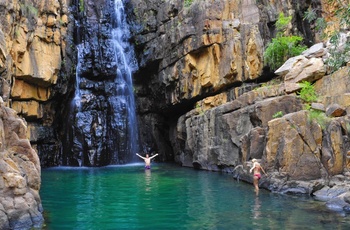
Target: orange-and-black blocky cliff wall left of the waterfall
36,40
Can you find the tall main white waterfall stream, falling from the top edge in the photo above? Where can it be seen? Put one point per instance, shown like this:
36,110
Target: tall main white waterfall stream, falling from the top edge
123,101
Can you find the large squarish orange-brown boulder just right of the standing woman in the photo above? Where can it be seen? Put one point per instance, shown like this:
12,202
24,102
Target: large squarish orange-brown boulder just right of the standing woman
293,147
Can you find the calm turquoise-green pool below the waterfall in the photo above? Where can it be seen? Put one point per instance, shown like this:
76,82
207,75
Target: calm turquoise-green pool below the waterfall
171,197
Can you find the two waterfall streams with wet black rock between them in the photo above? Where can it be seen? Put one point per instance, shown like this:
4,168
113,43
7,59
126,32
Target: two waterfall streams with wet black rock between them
104,125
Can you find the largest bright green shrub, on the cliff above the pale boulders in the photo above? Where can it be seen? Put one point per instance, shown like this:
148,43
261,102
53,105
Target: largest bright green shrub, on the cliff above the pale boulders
282,47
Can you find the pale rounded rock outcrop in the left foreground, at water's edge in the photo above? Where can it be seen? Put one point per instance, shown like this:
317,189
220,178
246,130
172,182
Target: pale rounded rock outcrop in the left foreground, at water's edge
20,203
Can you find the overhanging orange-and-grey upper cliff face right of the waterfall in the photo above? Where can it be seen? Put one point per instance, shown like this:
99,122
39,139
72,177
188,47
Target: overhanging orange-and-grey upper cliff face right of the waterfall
198,53
